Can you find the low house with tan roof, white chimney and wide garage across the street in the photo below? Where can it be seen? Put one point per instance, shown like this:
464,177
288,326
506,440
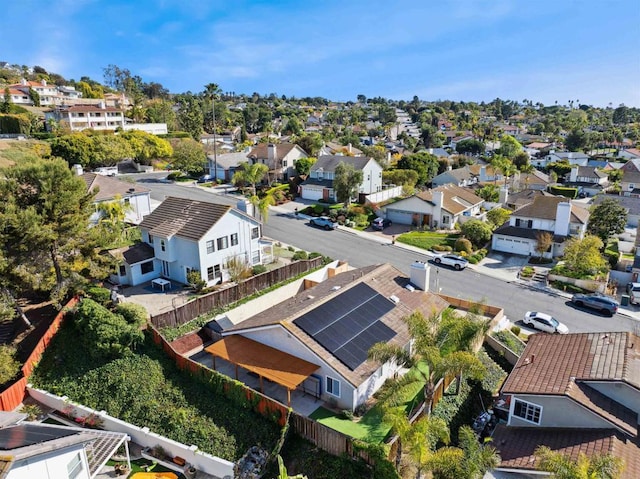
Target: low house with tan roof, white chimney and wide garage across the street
440,207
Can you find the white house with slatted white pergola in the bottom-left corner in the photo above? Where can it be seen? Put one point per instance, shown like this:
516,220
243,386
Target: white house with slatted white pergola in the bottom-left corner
31,450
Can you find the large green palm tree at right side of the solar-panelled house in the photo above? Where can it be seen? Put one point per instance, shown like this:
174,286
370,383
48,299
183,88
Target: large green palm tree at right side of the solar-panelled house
441,347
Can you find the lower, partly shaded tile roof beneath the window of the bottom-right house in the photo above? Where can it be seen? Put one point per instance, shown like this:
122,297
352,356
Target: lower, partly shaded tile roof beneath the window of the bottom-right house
516,446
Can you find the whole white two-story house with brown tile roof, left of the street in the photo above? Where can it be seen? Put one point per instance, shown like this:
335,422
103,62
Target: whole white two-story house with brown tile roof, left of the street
181,236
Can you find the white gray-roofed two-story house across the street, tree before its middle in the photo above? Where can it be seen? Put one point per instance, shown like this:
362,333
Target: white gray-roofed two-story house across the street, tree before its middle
319,184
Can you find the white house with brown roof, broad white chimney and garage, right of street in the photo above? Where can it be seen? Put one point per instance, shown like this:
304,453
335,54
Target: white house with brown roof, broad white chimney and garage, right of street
553,214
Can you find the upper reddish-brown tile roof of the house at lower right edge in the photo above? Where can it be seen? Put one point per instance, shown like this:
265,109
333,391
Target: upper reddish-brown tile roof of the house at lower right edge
582,356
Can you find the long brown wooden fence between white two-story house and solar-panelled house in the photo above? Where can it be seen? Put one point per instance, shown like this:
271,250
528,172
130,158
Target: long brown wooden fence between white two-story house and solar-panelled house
227,296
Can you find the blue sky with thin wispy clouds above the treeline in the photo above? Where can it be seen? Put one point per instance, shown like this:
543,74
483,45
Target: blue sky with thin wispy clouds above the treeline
470,50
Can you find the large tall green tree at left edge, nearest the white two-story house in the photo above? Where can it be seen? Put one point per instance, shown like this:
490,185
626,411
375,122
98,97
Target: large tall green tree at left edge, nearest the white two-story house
46,240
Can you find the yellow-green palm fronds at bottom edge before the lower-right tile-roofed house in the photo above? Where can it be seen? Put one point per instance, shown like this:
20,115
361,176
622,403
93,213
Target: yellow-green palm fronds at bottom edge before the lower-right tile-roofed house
597,466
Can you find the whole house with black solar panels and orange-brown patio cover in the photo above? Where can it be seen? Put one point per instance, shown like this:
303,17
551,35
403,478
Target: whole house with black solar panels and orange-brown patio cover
318,340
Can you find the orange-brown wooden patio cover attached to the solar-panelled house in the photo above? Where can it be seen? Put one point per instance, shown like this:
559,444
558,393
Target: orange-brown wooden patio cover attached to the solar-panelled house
270,363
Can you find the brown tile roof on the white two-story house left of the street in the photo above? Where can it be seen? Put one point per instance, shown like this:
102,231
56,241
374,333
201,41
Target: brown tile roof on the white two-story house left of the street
188,219
